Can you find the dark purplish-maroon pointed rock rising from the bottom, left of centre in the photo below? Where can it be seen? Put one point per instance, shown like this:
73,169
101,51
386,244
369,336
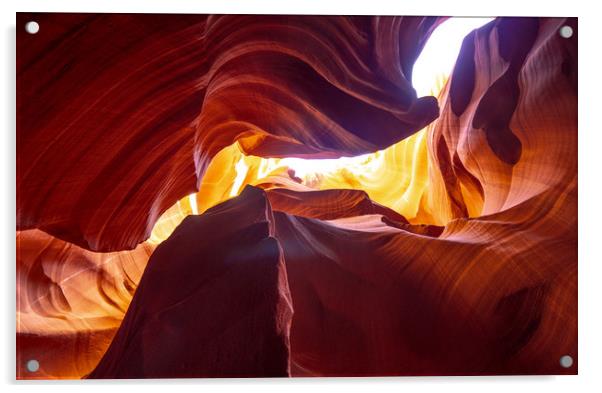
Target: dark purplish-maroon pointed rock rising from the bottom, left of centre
213,301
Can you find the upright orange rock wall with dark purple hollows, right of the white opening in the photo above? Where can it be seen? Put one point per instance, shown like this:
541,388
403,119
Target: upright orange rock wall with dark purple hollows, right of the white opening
502,145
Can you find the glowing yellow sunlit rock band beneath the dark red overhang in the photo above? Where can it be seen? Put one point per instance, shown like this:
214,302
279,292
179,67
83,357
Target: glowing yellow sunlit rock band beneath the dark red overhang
397,177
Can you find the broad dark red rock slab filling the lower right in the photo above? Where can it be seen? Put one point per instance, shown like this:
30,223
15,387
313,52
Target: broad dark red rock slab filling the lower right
488,296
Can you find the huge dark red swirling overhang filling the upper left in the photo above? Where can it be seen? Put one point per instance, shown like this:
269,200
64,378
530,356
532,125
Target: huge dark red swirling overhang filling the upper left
114,128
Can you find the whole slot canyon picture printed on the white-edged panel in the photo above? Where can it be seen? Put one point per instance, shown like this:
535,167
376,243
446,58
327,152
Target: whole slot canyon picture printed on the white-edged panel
271,196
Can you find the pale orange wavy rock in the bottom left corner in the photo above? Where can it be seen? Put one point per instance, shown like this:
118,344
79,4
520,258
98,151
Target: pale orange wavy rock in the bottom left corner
70,302
